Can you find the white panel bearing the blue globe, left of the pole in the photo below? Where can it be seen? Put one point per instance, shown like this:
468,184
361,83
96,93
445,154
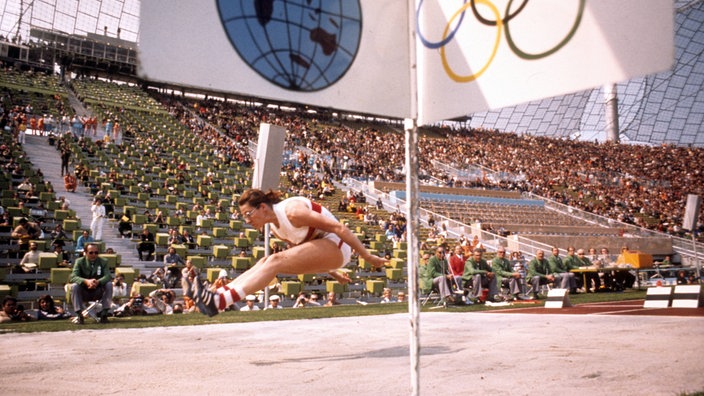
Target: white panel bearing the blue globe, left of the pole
186,42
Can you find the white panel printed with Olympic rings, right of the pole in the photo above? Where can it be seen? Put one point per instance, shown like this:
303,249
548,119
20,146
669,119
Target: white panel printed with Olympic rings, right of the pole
486,54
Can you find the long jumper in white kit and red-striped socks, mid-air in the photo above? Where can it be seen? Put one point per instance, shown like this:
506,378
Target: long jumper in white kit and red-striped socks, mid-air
319,243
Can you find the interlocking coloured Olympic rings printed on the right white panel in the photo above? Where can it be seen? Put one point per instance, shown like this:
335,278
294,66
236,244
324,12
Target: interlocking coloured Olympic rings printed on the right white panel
499,22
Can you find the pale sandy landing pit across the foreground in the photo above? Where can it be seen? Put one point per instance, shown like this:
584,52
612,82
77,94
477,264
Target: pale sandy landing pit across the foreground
468,353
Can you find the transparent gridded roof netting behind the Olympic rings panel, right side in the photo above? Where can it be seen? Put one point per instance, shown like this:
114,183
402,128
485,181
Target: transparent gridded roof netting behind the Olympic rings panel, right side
666,107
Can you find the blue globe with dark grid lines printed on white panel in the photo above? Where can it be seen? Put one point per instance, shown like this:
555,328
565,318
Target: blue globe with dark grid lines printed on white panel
299,45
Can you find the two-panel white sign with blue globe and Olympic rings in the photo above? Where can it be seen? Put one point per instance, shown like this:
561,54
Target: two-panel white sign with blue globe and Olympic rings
357,55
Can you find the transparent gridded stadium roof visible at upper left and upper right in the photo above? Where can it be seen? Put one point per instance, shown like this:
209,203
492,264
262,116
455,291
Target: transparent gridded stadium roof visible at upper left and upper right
662,108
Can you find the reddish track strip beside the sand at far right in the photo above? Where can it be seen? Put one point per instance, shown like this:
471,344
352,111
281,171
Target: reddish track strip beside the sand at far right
631,307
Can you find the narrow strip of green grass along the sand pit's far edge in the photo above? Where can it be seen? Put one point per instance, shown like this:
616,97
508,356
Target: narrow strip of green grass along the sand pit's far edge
286,314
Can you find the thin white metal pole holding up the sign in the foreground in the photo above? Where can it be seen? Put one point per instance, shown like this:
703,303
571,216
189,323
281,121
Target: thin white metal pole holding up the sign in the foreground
412,217
